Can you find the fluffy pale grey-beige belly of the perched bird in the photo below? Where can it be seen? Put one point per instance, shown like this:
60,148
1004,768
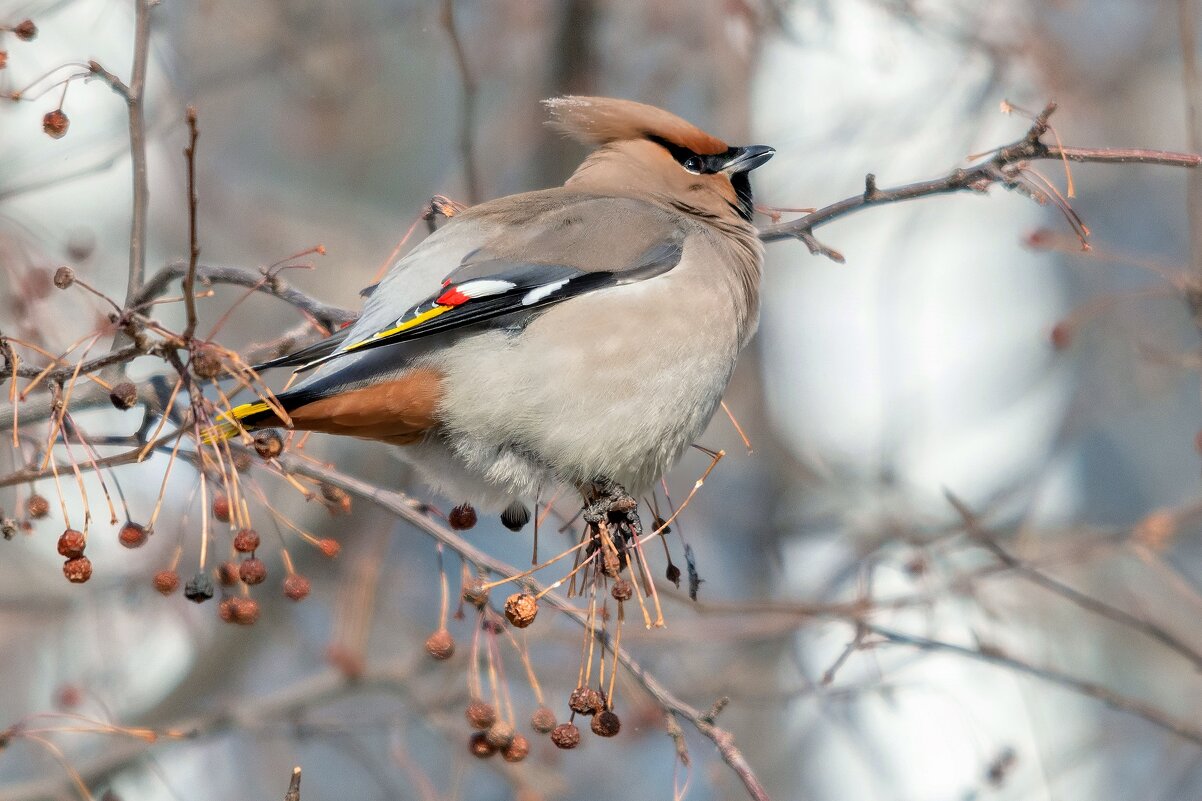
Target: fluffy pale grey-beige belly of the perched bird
615,387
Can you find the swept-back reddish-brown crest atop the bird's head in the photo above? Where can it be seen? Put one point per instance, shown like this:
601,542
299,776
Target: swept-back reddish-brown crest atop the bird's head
600,121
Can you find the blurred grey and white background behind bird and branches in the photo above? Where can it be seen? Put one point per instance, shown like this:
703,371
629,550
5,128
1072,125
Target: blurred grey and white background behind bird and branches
871,644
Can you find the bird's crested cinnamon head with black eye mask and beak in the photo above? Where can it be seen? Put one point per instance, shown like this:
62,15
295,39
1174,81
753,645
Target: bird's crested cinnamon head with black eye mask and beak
647,151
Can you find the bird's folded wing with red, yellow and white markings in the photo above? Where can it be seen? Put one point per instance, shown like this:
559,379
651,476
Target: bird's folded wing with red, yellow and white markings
539,251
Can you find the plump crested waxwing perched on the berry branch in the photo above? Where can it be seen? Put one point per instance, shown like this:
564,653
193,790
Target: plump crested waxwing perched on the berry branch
578,337
